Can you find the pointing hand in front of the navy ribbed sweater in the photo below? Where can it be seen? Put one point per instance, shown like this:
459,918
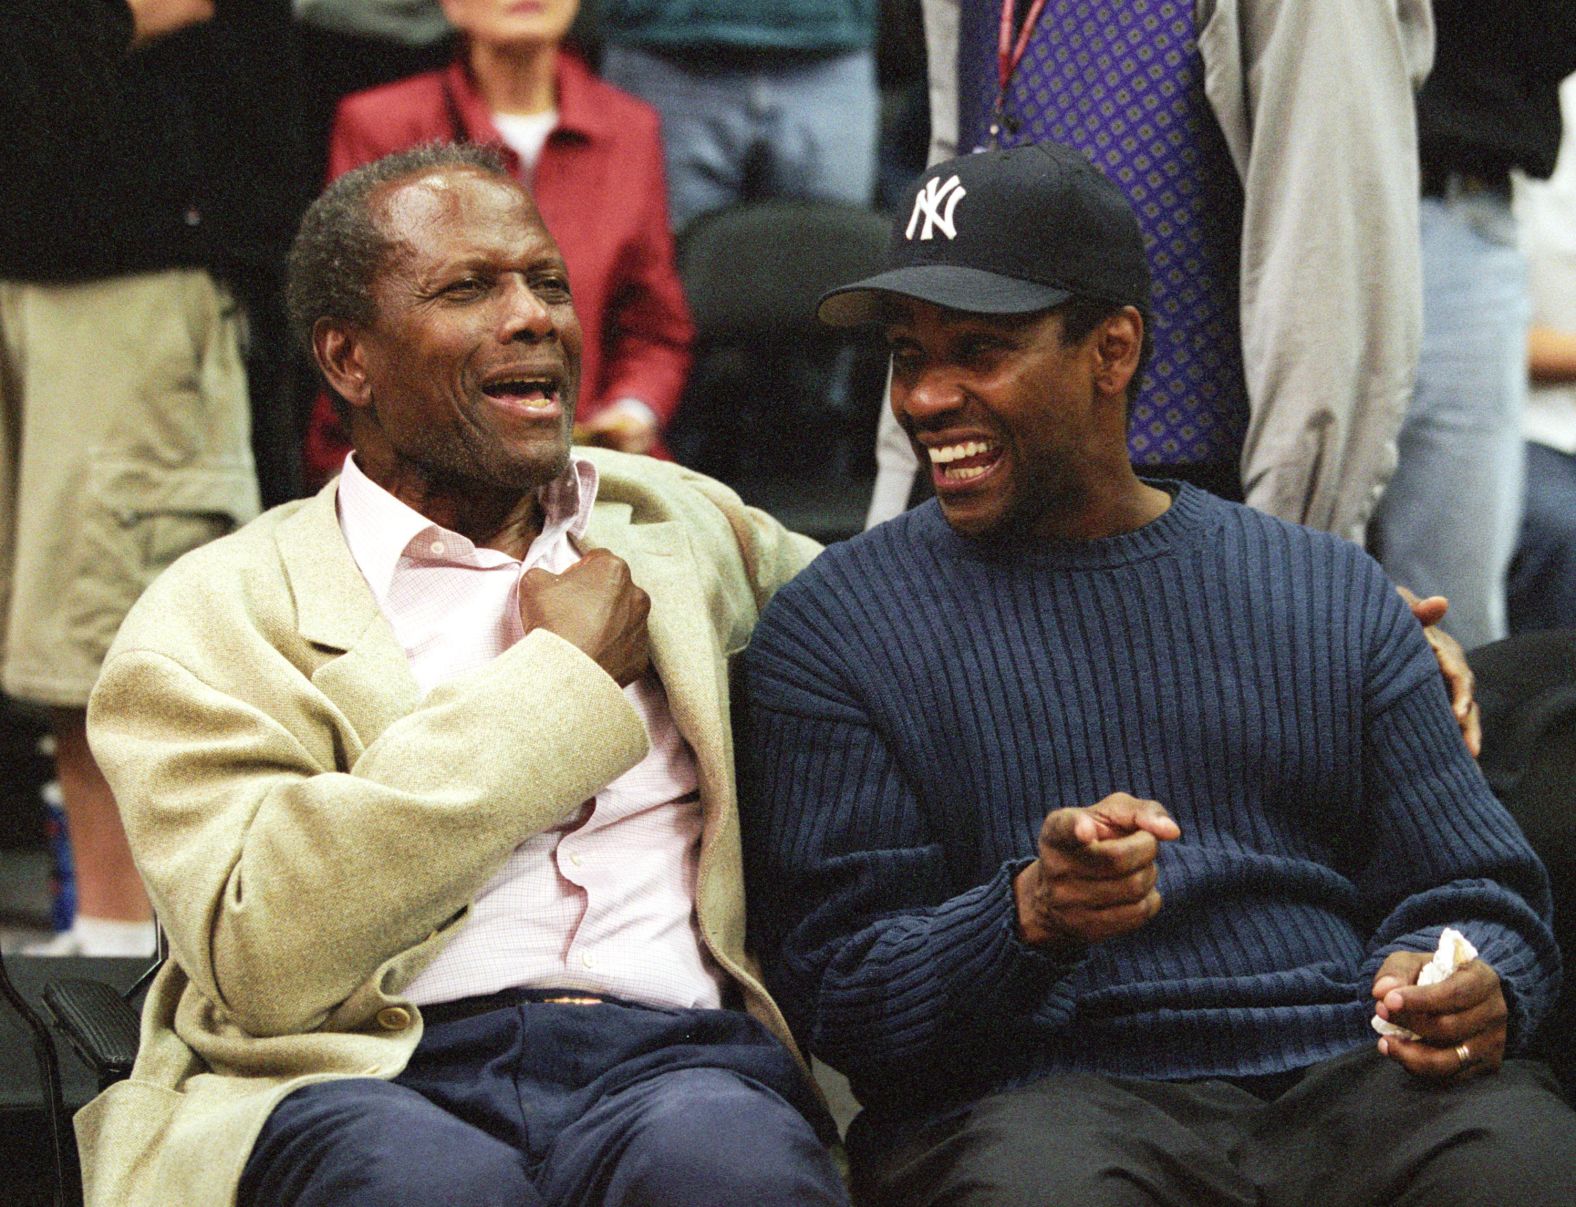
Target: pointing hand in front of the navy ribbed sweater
1095,875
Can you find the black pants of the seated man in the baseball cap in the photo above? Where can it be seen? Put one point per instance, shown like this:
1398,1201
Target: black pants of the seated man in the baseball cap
1353,1131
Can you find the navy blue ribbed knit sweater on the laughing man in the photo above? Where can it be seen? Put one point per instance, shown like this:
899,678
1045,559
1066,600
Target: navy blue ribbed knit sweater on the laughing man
920,702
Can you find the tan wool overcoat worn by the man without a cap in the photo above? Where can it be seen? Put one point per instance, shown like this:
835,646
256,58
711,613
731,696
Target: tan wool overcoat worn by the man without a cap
313,830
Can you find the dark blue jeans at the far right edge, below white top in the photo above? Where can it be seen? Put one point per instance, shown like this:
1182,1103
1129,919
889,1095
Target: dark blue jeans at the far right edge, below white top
1544,573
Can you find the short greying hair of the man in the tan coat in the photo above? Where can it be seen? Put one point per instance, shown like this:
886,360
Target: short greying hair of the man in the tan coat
341,248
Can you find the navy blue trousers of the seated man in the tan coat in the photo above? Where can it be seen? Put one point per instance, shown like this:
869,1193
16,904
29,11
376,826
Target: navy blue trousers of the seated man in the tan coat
515,1102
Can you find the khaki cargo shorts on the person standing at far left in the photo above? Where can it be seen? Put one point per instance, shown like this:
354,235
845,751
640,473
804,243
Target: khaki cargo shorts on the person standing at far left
125,442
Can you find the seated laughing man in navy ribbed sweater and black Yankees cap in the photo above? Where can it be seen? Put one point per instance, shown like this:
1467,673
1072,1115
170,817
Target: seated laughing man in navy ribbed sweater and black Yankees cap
987,737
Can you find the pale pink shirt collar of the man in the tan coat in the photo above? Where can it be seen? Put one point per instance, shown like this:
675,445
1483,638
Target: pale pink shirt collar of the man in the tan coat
381,529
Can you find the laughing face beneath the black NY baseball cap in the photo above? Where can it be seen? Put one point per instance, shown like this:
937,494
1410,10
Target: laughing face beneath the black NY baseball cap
1022,434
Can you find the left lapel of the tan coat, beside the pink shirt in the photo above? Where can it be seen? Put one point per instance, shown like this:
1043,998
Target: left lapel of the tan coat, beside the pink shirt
365,670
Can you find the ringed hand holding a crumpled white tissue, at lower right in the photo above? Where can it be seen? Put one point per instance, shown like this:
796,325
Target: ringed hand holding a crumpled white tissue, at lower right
1460,1022
